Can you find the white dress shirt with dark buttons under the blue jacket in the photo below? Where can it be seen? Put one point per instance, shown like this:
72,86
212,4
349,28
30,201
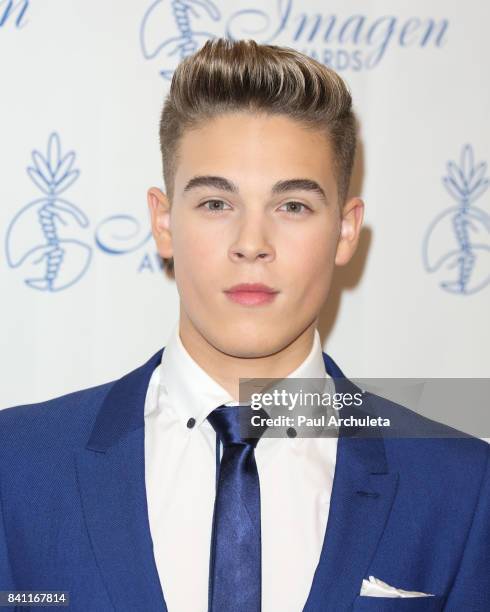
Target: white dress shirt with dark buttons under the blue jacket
296,476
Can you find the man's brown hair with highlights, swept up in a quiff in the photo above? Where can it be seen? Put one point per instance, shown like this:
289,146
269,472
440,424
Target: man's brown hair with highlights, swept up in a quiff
228,76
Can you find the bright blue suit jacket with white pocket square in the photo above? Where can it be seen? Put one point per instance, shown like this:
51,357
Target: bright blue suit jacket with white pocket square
413,512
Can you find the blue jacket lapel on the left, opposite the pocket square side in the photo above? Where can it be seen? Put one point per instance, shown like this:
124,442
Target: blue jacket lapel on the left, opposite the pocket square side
111,479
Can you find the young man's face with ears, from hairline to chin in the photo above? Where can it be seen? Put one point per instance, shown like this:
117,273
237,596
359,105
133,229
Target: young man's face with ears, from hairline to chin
264,220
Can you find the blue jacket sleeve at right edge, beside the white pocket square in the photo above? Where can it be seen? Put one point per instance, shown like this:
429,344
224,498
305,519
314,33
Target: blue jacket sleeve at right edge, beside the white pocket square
471,587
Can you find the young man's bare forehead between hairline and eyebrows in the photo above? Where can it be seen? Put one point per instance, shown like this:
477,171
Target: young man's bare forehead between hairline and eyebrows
258,148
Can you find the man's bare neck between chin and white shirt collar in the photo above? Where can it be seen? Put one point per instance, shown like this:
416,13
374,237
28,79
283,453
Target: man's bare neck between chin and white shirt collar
227,369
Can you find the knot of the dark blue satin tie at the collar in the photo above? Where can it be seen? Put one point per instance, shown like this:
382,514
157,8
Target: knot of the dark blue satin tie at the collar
230,421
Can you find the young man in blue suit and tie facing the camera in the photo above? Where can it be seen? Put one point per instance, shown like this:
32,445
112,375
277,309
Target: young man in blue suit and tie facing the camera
142,494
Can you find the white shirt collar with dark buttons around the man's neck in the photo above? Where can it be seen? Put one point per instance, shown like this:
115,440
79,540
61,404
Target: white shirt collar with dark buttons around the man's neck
195,394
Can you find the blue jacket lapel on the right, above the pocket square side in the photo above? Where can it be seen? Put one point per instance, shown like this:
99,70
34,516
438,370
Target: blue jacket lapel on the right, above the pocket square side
361,501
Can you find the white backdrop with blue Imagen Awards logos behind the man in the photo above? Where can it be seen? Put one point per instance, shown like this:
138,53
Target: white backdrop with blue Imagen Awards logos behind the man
84,298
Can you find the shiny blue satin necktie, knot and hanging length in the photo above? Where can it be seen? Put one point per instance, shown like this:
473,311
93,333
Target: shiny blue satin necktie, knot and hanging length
235,559
